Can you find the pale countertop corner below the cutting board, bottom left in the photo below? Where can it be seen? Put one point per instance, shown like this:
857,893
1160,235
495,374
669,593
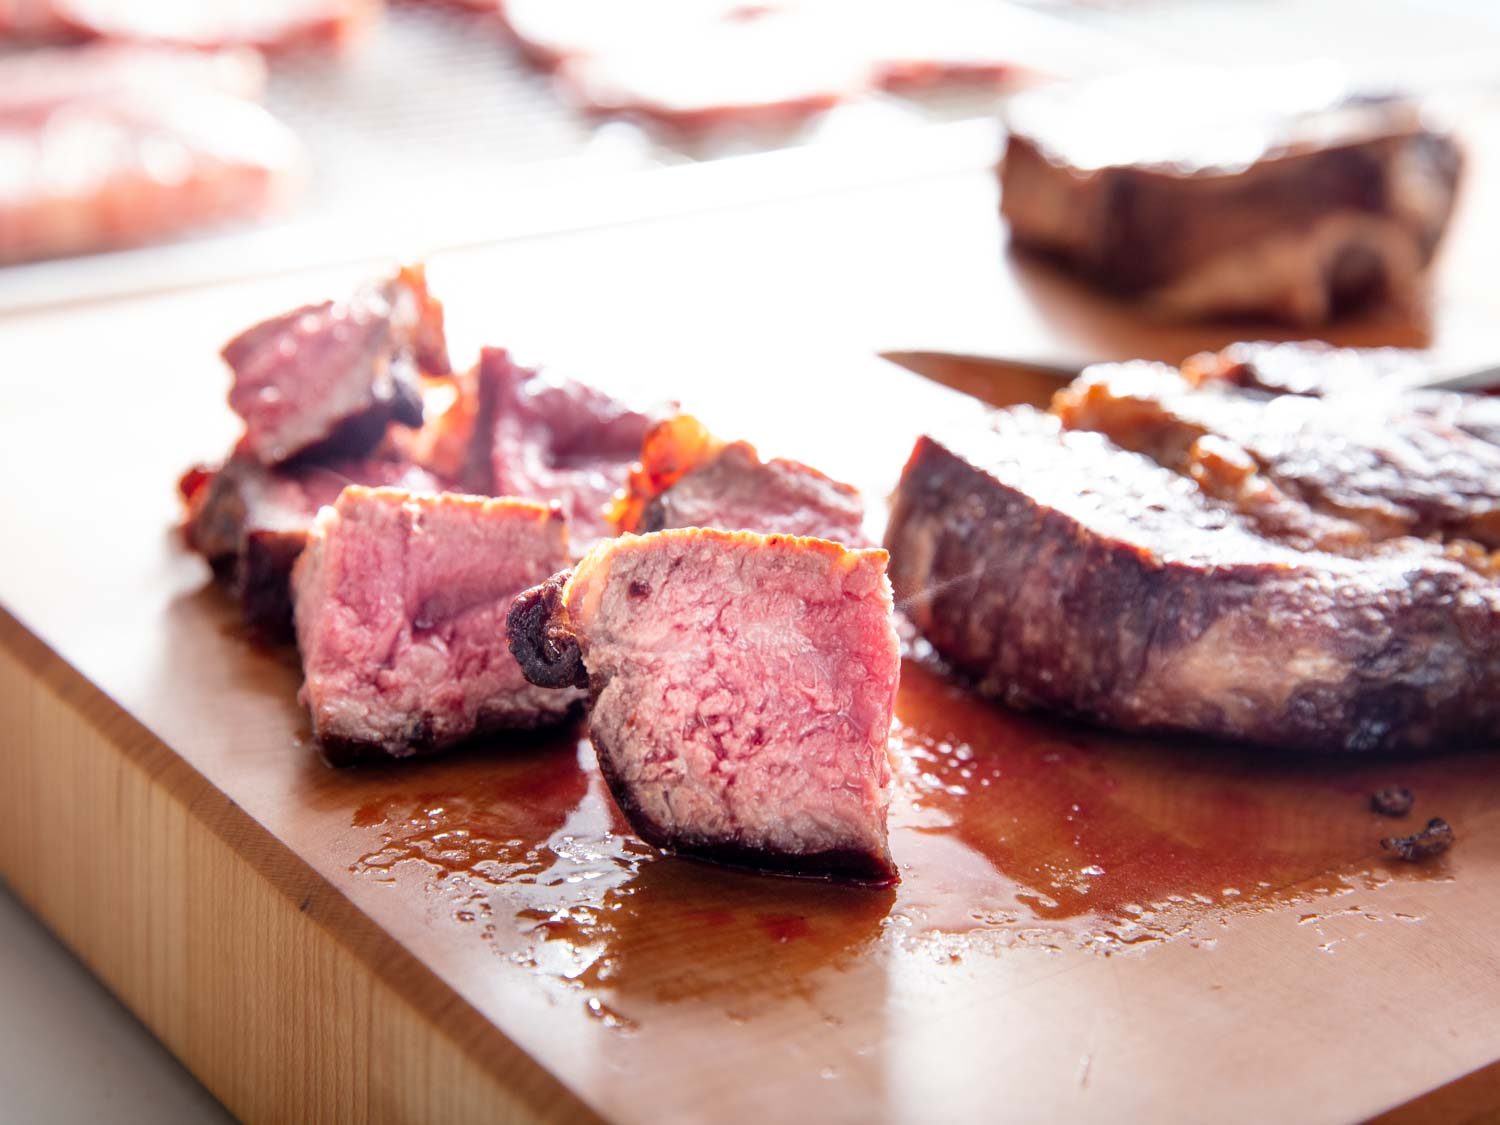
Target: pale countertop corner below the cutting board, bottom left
70,1052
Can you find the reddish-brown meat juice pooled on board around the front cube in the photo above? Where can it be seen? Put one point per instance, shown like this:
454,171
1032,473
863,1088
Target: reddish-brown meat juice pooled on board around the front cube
1013,833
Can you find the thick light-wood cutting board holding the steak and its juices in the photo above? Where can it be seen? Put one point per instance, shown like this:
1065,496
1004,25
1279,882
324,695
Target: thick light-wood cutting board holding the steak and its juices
1087,928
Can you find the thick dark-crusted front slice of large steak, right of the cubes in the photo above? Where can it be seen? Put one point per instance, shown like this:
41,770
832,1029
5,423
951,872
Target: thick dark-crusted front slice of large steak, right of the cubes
1063,572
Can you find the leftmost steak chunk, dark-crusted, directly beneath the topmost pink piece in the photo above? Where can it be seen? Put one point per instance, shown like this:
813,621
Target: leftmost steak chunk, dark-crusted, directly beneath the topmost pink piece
251,523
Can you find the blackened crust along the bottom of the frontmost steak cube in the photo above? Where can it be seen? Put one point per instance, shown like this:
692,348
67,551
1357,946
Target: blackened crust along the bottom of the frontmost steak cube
832,865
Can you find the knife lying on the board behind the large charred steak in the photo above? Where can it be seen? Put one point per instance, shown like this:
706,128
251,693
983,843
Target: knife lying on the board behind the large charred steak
1028,382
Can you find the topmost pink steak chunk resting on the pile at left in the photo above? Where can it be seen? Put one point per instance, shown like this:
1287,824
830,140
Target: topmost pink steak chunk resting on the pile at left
329,379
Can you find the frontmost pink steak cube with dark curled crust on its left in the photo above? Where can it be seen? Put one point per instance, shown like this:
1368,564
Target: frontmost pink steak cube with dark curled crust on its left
742,692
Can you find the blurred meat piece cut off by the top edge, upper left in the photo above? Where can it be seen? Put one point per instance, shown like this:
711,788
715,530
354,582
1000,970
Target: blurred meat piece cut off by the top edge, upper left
268,25
